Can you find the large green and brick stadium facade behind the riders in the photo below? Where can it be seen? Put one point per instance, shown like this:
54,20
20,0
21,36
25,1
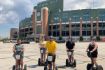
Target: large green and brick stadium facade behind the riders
84,23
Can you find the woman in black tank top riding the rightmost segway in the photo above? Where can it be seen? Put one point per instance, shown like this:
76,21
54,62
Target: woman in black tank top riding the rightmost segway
92,53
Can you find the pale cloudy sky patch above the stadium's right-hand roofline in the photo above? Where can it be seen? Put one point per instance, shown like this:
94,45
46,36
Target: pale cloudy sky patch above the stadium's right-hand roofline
83,4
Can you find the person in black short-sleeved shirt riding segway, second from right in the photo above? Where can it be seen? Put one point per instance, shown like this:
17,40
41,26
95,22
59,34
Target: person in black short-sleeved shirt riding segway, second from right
70,50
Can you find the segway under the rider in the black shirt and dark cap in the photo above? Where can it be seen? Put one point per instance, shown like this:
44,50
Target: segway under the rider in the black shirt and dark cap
69,61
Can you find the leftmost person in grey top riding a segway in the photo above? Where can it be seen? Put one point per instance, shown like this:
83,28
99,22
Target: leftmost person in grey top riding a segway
18,53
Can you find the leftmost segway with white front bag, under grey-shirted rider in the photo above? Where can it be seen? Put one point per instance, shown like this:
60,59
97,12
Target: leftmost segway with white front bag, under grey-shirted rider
18,57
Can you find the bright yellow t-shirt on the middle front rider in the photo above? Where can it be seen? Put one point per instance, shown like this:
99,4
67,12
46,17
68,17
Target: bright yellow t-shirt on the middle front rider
51,47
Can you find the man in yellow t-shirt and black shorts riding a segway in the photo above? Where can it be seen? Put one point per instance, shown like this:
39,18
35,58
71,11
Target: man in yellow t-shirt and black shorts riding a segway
51,54
